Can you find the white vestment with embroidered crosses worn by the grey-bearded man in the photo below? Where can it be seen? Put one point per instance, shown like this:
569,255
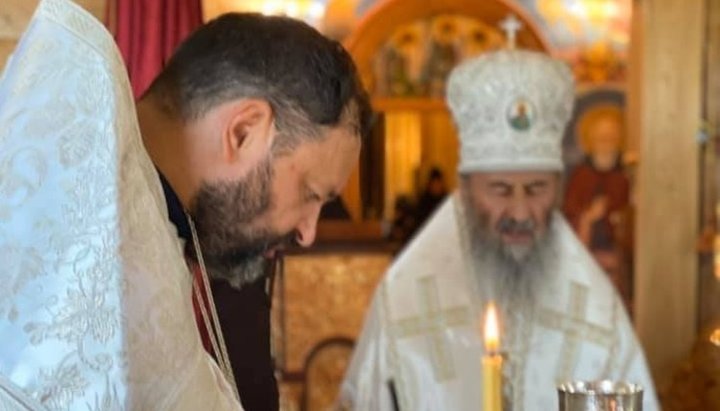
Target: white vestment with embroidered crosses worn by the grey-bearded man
422,331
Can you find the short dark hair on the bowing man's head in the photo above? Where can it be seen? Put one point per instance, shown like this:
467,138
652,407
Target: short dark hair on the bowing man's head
309,80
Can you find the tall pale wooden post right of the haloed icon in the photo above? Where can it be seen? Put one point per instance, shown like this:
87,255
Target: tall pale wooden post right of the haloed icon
666,271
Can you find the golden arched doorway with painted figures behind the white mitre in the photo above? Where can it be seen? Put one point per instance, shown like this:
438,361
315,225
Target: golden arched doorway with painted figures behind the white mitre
404,50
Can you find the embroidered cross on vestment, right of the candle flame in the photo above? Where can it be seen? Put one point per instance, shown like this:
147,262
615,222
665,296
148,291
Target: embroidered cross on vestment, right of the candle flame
575,329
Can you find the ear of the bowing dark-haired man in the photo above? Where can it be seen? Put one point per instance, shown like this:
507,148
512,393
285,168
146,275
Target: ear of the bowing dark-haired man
249,130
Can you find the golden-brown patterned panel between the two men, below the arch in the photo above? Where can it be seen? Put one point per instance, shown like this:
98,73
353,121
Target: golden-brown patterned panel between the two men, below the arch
322,296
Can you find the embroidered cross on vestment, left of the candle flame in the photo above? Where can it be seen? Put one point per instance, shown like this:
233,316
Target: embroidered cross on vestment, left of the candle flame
433,322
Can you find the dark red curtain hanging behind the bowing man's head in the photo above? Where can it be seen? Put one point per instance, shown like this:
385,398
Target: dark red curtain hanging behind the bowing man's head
147,32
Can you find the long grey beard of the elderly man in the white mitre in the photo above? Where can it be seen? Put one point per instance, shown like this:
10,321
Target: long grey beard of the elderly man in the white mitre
510,276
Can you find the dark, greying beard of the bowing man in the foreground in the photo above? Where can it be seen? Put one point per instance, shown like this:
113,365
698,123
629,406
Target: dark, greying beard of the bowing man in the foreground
225,216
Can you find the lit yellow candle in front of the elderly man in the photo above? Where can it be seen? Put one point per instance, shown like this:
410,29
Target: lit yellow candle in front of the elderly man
492,362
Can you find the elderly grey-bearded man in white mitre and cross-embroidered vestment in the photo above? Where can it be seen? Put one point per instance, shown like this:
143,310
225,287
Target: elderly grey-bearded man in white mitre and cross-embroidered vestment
501,238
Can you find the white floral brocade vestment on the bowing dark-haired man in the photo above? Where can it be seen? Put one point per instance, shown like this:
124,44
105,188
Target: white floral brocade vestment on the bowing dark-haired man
95,301
